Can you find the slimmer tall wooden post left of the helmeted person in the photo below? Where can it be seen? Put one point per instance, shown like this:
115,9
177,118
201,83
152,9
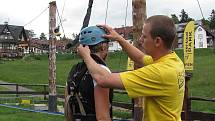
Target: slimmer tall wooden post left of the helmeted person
52,58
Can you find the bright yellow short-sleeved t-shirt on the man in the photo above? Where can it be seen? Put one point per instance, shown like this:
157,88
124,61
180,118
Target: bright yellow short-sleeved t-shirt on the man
162,84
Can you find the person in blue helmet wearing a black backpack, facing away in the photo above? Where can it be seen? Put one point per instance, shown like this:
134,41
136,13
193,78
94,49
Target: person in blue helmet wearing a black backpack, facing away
95,100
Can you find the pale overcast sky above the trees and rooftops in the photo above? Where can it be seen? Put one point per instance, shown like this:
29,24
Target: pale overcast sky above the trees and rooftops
21,12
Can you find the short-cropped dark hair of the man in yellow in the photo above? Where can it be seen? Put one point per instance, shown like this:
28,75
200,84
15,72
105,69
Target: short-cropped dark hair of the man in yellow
163,27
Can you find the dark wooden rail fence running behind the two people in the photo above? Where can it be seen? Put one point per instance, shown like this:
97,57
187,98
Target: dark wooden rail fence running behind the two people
191,115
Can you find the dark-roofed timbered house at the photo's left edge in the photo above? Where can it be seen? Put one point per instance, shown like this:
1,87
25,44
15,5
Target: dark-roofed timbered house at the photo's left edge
13,40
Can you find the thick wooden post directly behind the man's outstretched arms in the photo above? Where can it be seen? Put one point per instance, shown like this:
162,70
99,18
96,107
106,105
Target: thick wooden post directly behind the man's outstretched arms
139,15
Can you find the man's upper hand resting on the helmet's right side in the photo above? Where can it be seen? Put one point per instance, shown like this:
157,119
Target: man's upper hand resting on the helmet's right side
112,34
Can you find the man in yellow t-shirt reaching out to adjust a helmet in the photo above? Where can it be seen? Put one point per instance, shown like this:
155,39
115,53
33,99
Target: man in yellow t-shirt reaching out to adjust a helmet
161,83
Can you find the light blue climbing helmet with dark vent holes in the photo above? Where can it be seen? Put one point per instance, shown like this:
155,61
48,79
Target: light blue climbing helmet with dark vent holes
92,35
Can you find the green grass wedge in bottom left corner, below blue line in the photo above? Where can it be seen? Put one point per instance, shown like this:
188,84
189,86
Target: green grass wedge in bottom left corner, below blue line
11,114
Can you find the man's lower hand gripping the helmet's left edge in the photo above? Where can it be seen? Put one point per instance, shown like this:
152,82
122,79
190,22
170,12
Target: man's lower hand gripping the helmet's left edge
83,51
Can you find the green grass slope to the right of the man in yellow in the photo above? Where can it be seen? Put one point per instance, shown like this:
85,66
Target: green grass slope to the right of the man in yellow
203,81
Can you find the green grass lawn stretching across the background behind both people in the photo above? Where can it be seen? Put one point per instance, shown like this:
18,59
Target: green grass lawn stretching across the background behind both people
34,70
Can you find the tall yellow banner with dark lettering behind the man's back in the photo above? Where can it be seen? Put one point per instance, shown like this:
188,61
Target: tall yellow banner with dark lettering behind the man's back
188,44
